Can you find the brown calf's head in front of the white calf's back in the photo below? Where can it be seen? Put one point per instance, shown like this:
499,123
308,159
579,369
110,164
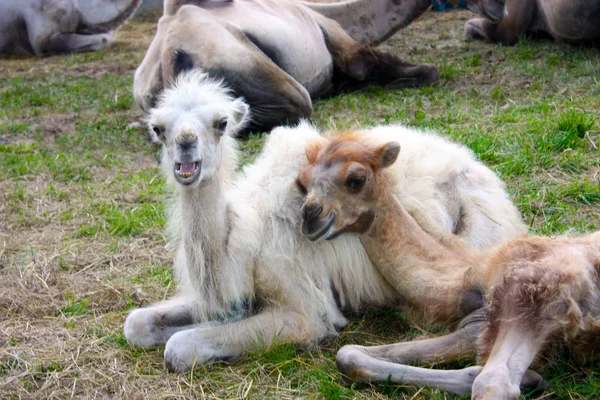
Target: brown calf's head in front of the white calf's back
342,181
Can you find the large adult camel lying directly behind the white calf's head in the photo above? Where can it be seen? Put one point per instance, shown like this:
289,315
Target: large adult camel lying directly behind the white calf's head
278,54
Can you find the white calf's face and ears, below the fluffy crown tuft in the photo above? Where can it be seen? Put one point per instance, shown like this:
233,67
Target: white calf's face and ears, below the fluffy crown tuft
191,137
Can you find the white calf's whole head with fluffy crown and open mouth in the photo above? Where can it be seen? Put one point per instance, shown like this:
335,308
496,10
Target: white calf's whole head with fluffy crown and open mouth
195,121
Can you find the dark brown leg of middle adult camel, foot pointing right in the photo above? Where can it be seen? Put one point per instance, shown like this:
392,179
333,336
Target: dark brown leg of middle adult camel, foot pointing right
357,65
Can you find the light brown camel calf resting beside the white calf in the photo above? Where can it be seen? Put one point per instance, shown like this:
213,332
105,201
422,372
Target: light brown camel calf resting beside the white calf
538,288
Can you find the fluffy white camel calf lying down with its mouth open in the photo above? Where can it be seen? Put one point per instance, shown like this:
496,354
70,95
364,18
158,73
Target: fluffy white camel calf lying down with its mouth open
245,270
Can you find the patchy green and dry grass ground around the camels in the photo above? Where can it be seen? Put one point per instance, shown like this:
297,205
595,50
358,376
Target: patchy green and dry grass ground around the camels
82,217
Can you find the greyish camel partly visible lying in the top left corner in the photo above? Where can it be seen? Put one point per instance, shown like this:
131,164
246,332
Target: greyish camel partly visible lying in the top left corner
45,27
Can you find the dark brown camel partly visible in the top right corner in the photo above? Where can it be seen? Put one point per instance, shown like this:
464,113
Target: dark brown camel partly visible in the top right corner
570,21
